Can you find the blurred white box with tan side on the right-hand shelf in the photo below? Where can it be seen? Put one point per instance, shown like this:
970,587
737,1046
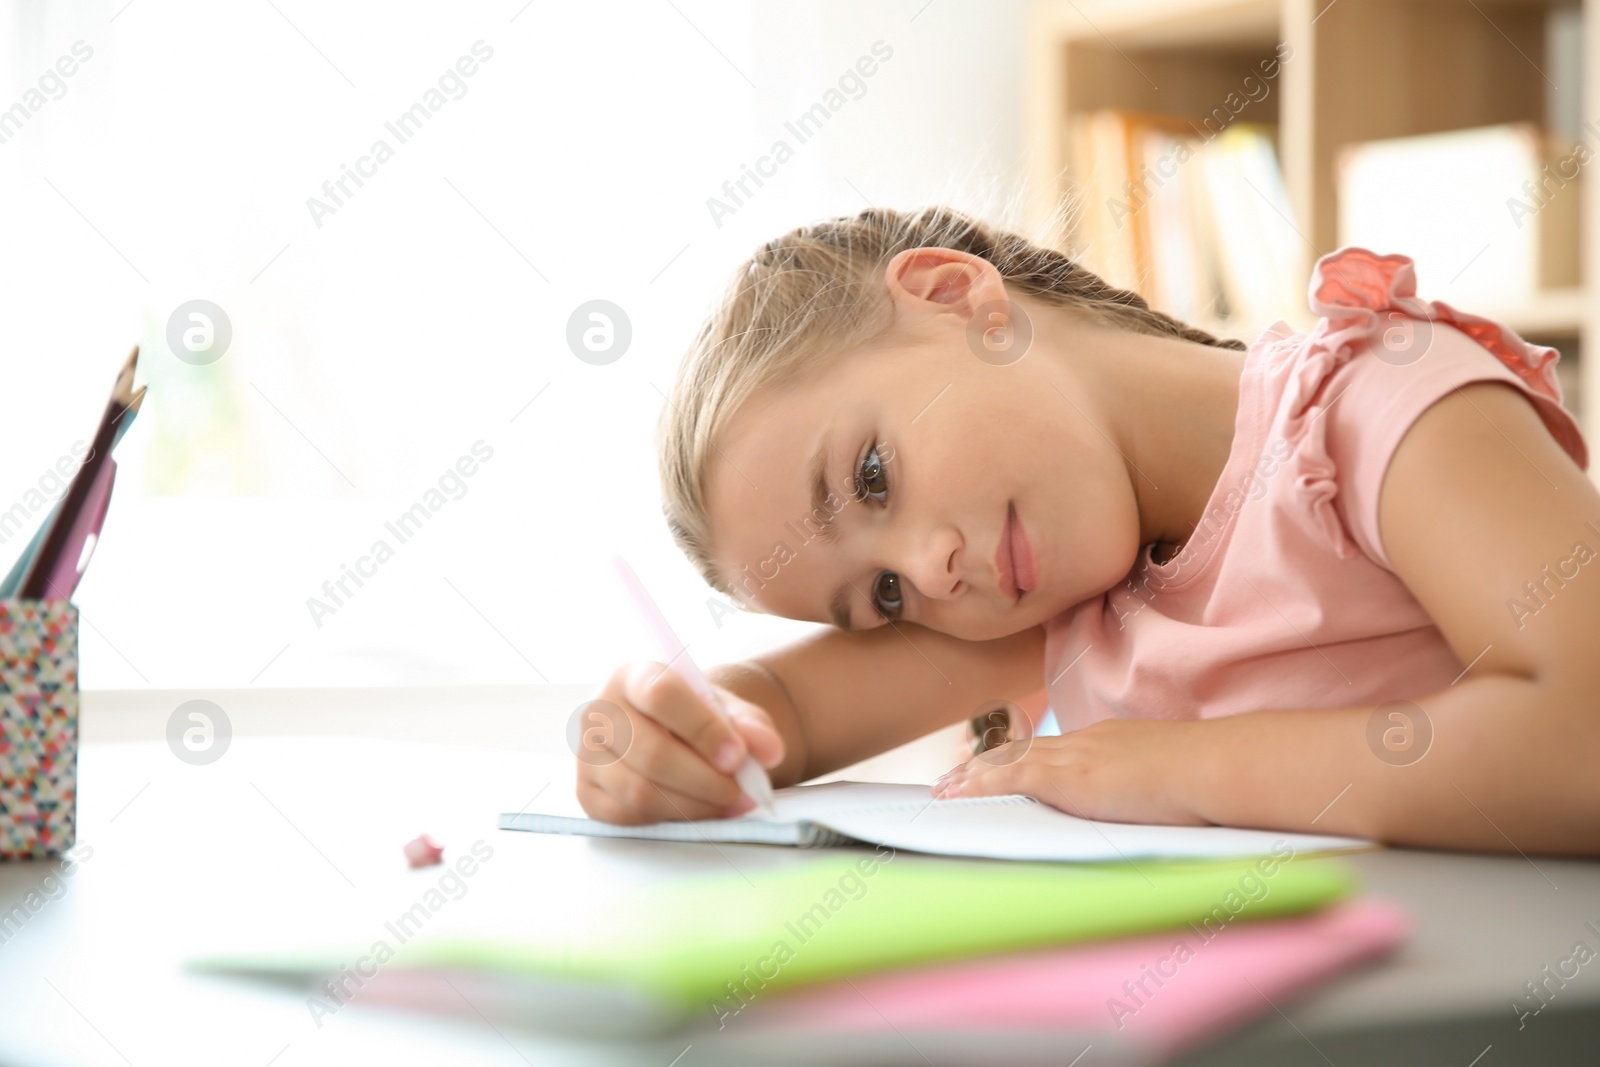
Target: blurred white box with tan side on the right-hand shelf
1489,215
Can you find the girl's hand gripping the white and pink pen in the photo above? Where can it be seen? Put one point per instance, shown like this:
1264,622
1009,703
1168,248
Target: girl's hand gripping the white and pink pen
652,751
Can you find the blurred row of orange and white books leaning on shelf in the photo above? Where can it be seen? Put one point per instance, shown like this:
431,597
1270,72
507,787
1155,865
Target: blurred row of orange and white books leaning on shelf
1194,220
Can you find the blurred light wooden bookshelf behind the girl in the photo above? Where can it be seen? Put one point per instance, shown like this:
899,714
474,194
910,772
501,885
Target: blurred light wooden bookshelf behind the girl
1361,71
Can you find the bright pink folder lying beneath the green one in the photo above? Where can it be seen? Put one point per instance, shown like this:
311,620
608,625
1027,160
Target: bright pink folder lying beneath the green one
1156,994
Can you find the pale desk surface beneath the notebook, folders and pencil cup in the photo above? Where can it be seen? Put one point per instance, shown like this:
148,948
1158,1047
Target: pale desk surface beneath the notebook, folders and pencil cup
305,833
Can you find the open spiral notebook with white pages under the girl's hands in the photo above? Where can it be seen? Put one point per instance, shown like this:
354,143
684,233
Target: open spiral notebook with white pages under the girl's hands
908,818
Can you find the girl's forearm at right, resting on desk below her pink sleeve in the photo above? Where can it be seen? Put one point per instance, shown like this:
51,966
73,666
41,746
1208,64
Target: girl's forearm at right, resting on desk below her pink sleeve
1494,764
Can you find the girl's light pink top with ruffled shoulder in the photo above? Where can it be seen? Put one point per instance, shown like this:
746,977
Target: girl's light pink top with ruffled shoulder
1284,596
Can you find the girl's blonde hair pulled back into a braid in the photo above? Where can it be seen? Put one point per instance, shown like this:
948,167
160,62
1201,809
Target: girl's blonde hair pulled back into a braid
818,292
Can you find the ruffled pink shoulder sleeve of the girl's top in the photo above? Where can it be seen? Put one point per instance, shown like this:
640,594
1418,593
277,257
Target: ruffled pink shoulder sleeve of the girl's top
1377,359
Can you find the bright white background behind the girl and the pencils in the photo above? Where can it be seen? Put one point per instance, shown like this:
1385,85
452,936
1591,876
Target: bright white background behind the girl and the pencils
374,351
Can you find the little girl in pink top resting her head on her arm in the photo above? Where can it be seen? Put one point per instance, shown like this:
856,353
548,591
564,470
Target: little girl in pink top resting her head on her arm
1337,581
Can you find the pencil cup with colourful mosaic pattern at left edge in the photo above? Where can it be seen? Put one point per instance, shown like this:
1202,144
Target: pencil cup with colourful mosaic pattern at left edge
39,727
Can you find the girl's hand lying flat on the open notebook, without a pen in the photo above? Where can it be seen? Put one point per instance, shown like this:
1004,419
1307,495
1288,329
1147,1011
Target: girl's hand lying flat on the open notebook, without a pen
1119,770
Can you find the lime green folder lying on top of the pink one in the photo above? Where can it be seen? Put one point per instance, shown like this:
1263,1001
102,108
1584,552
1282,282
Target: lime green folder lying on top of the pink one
650,956
